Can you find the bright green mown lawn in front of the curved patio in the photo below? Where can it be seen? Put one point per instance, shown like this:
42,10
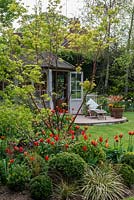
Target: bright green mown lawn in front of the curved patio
109,131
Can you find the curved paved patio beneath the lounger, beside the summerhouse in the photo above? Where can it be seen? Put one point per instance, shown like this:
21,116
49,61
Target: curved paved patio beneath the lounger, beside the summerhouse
87,120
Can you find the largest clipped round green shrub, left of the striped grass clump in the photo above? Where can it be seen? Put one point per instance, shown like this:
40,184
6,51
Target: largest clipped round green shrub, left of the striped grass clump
69,165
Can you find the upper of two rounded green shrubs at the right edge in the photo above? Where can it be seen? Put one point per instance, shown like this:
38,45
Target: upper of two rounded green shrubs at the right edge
128,158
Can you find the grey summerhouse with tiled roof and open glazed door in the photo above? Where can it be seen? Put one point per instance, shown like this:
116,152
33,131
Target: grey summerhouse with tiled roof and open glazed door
60,77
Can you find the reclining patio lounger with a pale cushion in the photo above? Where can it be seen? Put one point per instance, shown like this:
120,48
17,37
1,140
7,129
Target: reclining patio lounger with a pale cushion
94,111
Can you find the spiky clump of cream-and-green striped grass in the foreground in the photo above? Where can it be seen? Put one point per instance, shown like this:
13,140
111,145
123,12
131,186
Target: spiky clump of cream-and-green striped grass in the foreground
102,183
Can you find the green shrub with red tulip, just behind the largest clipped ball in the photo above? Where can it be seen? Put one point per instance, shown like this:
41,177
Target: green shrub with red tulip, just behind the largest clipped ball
92,155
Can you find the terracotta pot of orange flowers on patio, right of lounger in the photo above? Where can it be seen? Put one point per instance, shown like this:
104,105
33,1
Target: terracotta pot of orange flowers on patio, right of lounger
116,106
